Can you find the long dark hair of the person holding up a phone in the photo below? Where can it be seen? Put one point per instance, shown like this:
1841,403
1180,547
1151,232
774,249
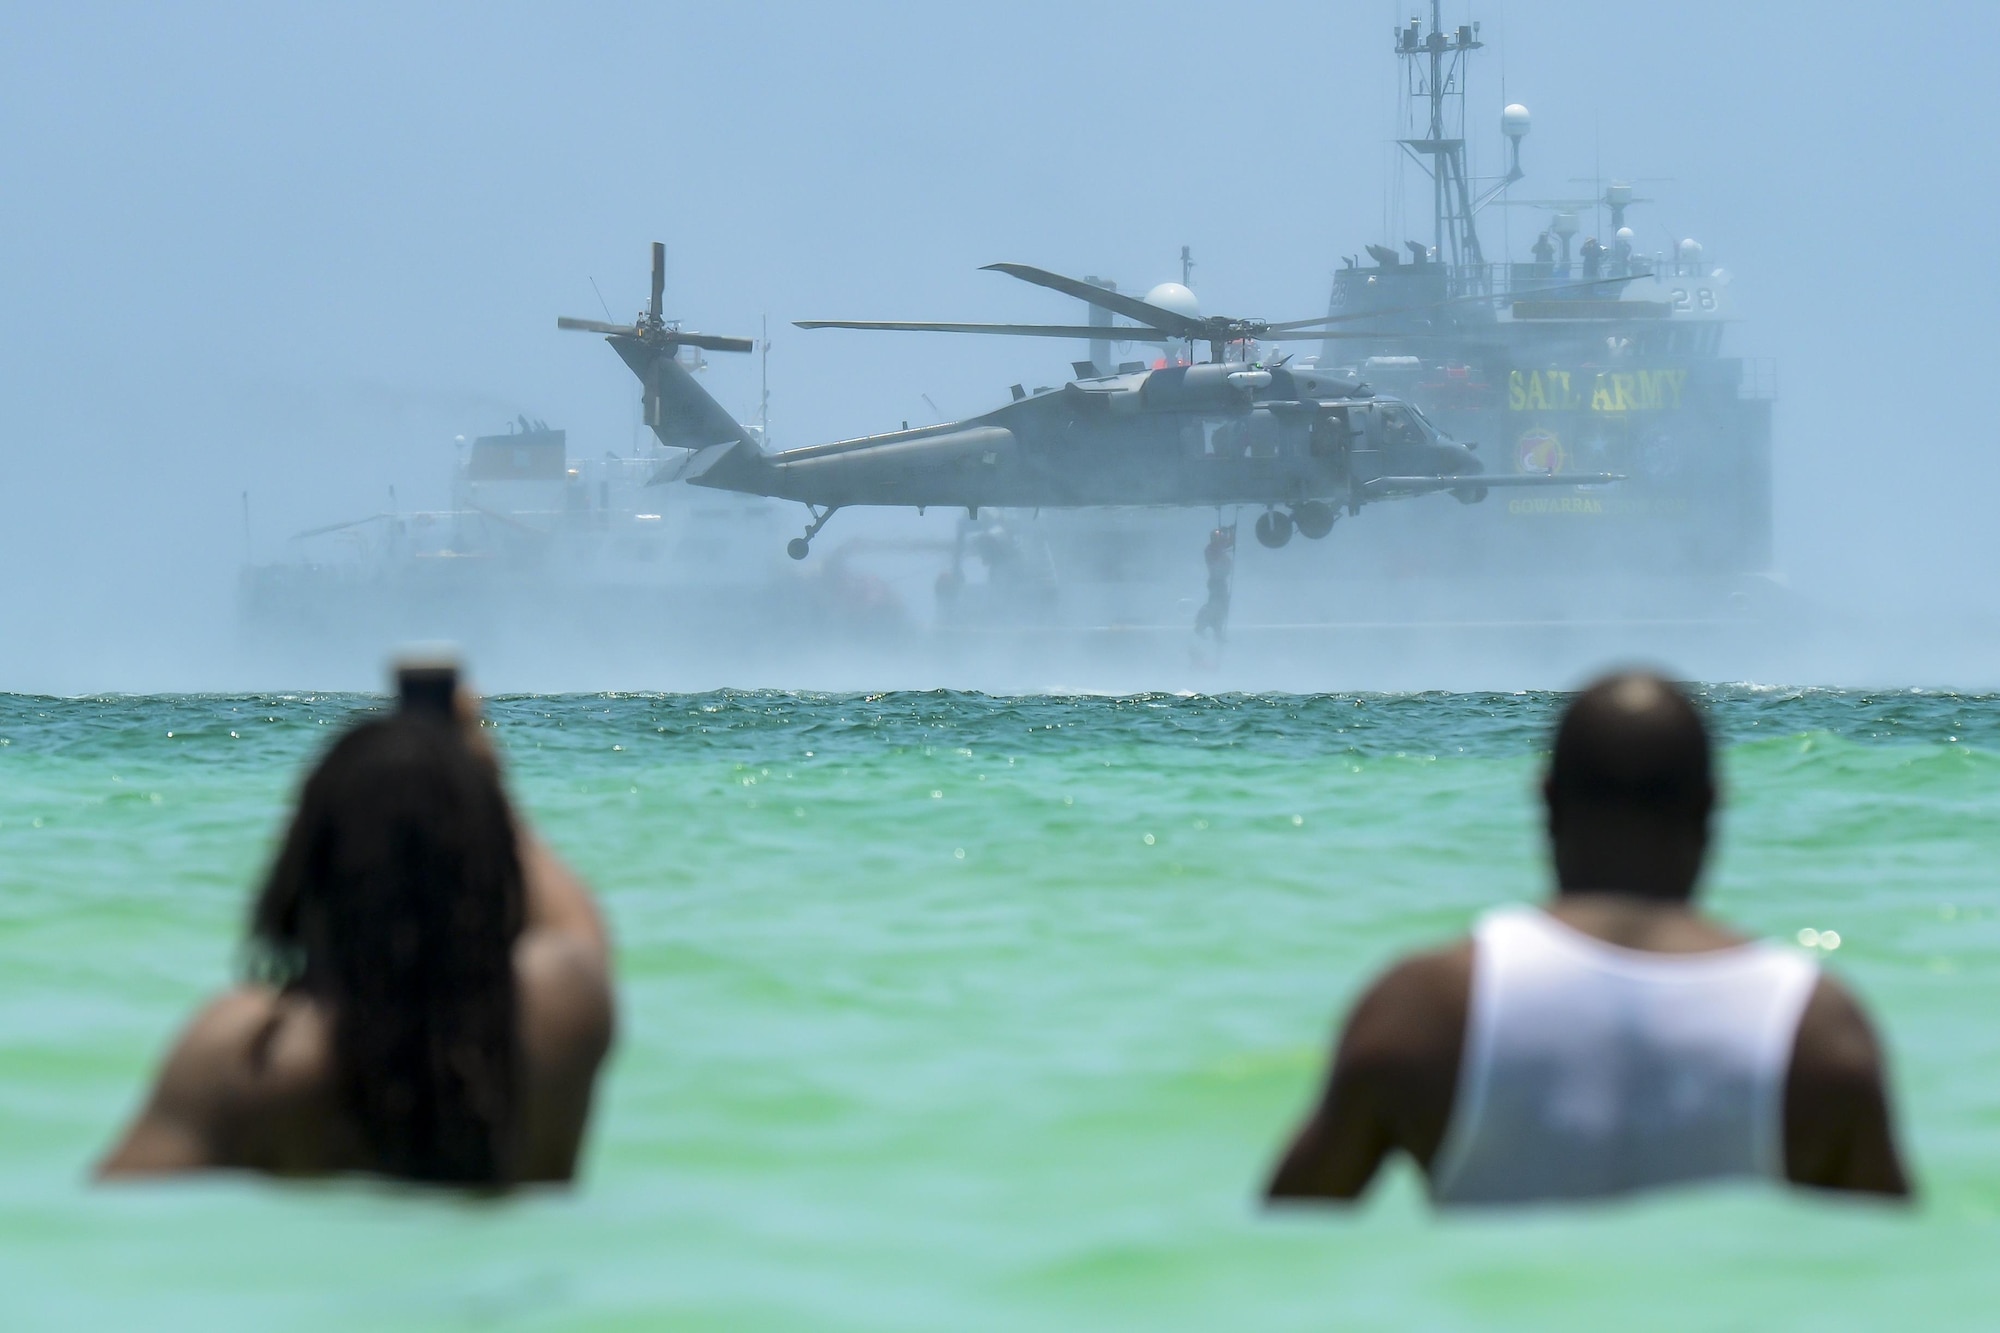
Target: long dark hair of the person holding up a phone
397,902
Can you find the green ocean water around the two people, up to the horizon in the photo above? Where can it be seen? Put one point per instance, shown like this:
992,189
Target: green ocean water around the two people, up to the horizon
945,1012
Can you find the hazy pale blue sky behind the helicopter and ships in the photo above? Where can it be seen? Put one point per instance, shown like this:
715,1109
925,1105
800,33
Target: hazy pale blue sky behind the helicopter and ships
295,253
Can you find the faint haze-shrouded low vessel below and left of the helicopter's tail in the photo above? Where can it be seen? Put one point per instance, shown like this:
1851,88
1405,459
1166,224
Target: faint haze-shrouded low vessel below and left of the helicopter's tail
553,569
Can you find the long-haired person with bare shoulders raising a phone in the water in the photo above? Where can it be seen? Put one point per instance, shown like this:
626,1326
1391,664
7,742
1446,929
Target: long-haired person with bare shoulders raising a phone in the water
427,994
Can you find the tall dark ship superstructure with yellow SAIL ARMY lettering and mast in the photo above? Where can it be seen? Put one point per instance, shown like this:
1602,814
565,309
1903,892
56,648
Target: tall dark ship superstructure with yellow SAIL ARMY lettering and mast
1581,355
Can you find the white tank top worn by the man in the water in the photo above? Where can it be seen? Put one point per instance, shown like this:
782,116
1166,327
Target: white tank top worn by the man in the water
1591,1070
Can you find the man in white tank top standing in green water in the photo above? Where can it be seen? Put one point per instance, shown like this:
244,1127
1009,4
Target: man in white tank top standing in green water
1611,1040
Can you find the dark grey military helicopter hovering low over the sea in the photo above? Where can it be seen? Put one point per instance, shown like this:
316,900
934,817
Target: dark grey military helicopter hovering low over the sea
1301,443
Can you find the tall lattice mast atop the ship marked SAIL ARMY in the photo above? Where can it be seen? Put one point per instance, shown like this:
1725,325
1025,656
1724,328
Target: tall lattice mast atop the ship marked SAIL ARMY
1435,85
